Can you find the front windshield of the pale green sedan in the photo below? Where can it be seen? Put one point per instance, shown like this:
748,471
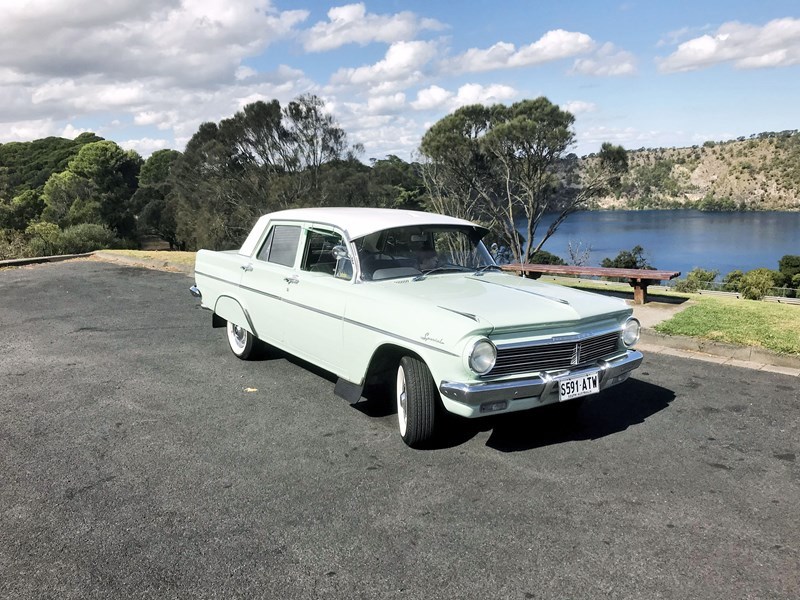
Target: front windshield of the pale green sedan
419,250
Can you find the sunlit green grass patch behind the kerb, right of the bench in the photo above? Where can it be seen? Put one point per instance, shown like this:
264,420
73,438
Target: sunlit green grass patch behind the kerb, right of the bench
744,322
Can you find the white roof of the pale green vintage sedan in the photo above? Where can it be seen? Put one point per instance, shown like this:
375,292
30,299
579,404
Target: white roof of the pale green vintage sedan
357,222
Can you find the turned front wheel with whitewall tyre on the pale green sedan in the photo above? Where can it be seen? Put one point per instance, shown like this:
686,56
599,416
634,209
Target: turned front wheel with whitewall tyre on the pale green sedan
416,401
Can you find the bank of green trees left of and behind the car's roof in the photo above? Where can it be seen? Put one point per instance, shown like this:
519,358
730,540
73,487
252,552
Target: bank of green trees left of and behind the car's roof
62,196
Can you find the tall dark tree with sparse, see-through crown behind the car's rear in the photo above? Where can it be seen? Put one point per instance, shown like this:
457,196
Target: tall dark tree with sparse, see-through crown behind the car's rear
265,157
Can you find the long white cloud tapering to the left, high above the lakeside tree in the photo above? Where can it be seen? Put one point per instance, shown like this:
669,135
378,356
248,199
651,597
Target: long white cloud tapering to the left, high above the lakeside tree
553,45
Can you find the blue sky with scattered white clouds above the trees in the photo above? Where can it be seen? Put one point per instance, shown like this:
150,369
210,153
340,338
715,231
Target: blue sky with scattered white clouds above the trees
146,73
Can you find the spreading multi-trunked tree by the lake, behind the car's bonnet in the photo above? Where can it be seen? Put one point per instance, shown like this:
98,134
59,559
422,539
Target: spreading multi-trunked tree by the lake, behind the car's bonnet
507,166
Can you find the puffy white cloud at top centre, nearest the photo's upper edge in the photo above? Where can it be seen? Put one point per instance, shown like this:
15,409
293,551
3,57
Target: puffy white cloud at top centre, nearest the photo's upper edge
351,24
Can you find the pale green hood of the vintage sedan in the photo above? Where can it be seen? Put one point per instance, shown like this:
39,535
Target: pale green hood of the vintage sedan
506,302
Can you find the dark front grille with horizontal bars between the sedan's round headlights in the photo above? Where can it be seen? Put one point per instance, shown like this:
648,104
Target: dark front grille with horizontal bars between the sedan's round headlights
549,357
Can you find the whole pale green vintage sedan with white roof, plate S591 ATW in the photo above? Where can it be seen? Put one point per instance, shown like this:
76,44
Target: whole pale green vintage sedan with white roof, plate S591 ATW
413,300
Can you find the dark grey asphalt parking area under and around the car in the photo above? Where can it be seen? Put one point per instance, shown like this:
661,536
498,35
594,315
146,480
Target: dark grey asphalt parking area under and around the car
139,458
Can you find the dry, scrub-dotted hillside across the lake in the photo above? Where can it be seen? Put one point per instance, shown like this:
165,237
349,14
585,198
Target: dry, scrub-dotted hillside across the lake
757,173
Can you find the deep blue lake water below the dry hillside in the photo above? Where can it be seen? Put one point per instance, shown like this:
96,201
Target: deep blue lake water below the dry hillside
681,240
